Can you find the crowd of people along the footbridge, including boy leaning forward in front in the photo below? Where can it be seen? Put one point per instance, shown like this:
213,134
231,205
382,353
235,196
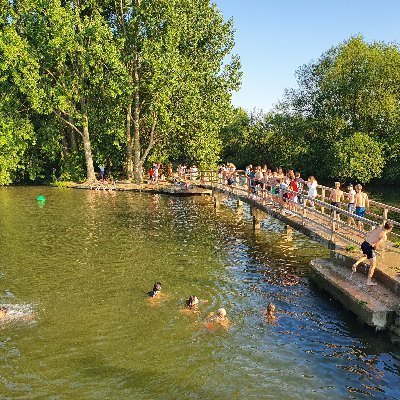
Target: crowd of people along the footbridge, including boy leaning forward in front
288,190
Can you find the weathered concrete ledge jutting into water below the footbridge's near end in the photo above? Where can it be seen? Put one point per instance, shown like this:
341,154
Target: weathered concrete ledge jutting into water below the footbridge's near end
367,308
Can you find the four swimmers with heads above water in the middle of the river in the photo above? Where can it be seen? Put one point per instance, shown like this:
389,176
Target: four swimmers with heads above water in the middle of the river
219,317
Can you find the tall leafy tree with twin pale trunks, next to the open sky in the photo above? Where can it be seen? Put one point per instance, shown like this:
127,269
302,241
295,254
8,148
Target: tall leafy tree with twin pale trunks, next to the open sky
178,79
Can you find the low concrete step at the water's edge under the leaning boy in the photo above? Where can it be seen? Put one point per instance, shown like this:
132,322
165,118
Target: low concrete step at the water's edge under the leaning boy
373,305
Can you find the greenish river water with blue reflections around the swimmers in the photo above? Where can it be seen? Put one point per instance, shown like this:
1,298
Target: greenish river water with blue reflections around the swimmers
79,268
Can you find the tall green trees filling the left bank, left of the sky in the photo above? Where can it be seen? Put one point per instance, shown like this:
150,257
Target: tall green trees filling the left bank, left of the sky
118,83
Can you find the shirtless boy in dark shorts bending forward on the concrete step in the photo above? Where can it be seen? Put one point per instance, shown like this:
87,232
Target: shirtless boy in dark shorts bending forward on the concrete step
374,239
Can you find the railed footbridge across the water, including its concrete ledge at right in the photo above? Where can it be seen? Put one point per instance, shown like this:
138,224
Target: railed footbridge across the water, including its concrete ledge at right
377,306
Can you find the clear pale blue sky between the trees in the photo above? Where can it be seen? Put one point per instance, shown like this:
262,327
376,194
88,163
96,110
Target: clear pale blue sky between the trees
274,38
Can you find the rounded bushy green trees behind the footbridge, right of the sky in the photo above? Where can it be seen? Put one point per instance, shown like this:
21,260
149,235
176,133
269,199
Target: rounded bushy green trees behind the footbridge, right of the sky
342,122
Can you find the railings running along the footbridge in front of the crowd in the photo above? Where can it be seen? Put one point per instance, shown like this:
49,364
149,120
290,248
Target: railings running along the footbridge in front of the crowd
316,211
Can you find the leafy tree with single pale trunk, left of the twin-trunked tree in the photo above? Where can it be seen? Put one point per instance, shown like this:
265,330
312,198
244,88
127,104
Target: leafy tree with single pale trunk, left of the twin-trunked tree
77,58
